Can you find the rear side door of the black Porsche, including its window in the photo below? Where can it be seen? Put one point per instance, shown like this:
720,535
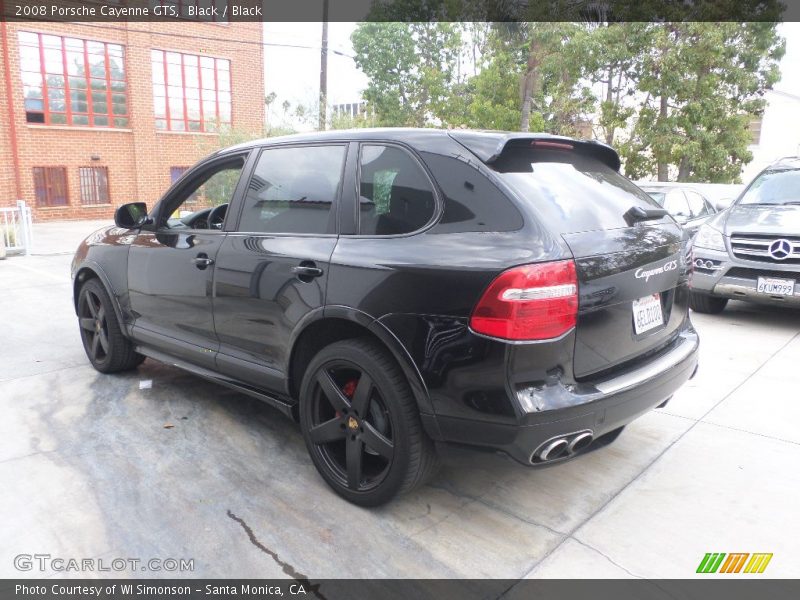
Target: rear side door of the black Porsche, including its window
272,268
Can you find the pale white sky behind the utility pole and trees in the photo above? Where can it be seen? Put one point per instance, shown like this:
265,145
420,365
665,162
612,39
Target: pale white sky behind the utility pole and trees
293,73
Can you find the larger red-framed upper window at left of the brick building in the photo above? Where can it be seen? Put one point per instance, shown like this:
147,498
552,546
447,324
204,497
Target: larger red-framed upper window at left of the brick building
70,81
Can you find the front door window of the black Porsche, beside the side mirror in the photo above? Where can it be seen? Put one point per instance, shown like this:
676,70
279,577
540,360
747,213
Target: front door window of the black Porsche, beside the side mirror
193,203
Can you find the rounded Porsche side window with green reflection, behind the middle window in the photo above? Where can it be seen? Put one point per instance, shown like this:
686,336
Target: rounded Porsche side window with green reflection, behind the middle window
395,193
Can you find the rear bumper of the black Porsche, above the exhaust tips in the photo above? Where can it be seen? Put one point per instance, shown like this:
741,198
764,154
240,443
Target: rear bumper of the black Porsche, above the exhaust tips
599,407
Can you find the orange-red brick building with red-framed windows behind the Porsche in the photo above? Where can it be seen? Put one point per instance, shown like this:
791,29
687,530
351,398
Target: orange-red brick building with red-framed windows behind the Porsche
94,115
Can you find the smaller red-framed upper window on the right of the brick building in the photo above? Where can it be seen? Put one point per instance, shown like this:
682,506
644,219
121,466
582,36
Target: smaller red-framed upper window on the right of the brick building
190,93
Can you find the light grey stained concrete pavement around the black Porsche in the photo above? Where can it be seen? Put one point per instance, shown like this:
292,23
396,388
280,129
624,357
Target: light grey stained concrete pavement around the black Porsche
157,463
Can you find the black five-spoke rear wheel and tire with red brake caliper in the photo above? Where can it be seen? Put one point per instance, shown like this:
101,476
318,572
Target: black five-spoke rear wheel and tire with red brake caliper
385,444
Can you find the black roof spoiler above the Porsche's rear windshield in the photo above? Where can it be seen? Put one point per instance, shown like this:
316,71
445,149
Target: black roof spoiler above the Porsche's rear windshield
488,146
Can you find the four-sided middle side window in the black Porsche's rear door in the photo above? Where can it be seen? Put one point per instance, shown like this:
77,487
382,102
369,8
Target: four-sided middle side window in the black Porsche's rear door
292,190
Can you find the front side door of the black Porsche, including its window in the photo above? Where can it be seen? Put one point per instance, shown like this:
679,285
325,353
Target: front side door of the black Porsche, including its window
171,262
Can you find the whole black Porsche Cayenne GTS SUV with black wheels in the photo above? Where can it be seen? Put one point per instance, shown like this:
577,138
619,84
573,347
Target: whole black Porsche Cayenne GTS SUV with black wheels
396,290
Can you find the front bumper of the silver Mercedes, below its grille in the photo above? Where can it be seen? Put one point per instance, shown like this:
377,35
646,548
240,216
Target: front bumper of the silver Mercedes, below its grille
737,279
